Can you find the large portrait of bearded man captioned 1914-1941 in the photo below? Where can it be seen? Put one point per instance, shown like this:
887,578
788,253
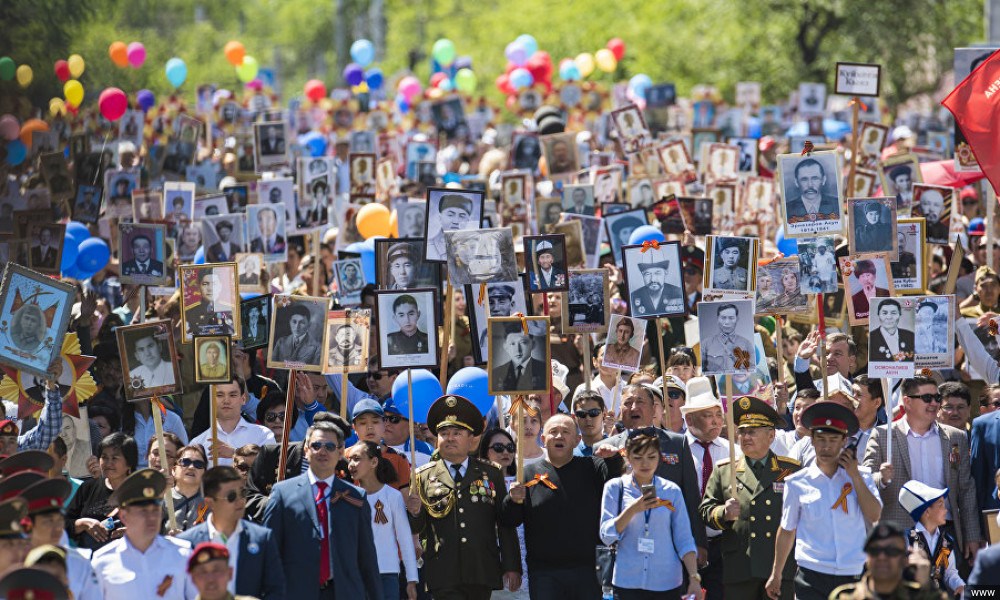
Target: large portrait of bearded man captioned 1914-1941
810,193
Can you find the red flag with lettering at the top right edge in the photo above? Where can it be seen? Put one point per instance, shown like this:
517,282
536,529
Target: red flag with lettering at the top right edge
976,106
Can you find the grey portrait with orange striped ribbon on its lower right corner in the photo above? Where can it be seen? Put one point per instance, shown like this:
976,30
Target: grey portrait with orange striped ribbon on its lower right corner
726,332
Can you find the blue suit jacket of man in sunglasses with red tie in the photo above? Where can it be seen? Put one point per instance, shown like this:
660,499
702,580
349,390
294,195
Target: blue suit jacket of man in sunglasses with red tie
291,515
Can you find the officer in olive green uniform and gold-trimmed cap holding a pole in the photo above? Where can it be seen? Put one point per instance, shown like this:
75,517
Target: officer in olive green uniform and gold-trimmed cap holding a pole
749,521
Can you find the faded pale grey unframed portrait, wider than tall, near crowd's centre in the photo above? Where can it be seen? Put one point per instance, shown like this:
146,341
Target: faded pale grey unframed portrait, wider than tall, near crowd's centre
481,256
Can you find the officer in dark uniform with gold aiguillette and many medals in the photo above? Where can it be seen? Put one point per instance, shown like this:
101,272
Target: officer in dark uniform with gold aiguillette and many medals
466,553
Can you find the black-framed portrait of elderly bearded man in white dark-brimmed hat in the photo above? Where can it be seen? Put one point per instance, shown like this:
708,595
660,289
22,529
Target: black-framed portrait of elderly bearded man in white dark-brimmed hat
654,280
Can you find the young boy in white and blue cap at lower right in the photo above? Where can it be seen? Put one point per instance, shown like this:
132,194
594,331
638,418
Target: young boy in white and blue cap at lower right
927,507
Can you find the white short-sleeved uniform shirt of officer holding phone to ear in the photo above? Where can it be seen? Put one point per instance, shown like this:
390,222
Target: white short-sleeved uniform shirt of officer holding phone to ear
826,540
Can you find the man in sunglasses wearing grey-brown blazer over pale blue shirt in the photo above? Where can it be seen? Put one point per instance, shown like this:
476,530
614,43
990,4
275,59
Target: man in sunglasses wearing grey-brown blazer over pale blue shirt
932,453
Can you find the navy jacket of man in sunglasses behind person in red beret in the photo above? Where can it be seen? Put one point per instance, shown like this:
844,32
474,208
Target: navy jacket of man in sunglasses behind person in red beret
255,575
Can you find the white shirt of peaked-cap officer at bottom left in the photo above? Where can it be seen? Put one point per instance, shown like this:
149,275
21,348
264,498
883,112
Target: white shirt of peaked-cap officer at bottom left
124,573
